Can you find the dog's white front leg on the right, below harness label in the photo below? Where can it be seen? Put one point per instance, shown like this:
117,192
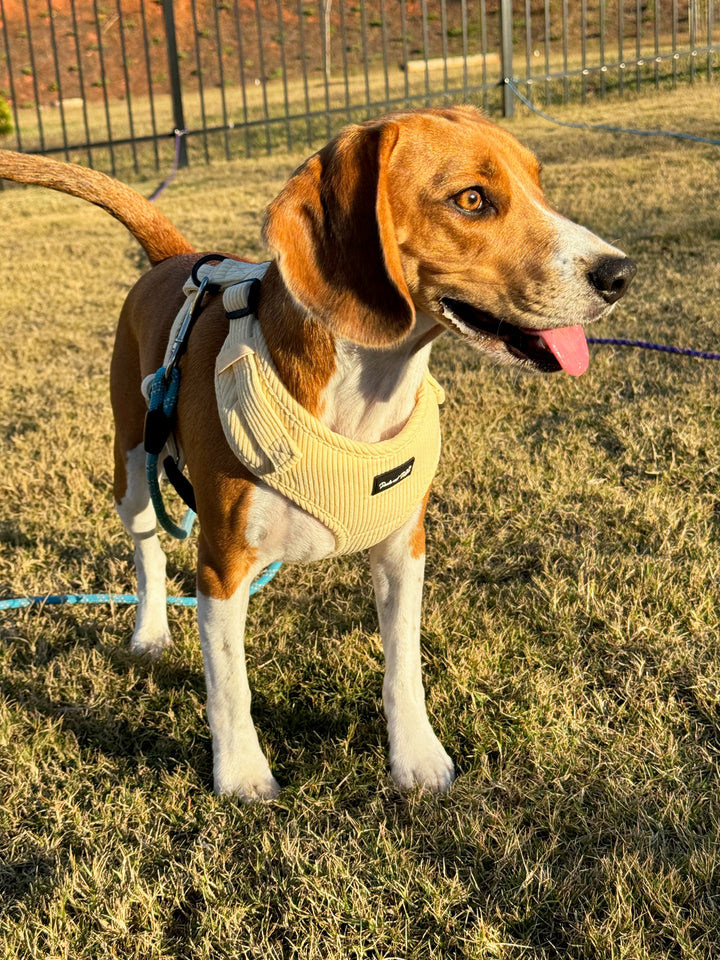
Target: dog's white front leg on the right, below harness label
417,757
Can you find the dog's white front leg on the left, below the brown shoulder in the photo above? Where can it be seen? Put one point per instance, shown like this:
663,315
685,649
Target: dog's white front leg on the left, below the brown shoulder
239,766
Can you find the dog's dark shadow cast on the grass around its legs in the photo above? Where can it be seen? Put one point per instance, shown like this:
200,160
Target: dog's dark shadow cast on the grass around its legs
298,719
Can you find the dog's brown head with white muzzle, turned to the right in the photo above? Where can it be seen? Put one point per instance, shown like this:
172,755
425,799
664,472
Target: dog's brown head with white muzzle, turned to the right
440,212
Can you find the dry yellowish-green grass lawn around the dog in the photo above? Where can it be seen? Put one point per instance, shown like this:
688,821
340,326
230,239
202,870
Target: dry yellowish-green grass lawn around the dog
571,625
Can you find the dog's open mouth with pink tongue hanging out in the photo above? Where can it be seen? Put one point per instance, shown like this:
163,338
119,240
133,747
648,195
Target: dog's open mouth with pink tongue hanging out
558,348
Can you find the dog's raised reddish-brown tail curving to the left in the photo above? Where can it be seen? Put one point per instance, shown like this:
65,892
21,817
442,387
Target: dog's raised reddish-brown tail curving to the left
154,232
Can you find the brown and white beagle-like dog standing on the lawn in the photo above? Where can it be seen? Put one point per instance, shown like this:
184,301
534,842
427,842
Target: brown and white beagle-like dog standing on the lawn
399,229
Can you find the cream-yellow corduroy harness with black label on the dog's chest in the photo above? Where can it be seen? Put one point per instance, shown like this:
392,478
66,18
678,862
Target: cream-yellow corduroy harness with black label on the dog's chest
361,491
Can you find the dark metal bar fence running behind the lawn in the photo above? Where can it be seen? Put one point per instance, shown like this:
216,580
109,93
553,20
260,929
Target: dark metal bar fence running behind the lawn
111,84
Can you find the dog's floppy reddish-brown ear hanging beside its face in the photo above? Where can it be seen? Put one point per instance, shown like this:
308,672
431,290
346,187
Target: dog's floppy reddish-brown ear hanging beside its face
331,229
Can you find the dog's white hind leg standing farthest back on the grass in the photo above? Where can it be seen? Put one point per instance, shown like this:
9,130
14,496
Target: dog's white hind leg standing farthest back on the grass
152,633
